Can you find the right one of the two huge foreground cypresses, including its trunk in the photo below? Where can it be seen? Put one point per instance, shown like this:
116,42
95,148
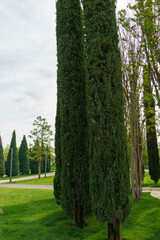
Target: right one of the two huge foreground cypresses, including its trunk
109,168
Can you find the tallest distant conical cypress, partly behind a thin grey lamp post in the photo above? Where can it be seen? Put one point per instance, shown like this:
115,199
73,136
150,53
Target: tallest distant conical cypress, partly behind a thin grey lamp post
15,163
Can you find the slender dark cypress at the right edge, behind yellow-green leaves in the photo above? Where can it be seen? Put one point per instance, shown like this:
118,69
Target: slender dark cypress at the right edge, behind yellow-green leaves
152,146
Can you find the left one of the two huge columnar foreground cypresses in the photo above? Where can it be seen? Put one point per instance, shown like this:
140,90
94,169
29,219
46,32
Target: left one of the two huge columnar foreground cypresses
71,79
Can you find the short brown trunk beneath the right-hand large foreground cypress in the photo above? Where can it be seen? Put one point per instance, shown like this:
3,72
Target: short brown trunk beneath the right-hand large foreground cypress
114,231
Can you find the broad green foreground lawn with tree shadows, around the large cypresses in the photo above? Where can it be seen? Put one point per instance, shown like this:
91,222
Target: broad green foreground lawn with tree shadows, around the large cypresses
34,215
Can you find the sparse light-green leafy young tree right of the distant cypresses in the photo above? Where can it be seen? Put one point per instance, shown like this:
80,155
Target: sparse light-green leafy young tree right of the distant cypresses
42,136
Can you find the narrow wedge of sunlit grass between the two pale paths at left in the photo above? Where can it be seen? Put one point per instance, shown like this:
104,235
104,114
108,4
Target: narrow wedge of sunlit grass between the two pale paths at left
37,181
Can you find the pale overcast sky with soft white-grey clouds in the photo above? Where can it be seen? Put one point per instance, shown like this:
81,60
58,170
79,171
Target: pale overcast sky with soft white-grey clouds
27,65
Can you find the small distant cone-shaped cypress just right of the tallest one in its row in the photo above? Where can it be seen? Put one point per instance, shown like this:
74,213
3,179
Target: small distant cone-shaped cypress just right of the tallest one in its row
23,157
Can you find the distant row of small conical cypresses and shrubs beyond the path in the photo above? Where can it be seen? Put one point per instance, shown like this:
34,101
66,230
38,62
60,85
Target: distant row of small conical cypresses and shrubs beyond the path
23,161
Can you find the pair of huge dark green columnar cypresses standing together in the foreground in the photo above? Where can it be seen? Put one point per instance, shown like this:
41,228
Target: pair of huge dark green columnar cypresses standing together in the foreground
92,170
